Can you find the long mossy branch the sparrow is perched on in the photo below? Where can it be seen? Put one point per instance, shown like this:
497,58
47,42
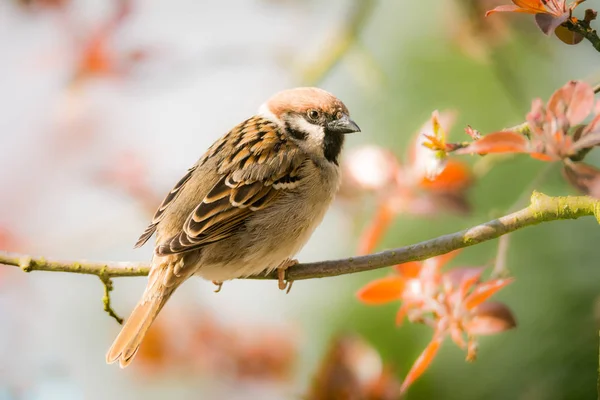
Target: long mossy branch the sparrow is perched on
542,209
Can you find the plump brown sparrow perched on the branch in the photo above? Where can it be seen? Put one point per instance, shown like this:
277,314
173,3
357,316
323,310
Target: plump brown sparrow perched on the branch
247,206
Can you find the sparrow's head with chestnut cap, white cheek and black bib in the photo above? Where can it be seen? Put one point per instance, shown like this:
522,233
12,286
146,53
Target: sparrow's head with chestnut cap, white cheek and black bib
315,119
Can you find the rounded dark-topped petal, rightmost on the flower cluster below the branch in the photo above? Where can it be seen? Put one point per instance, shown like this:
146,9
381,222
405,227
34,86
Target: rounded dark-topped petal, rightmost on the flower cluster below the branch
490,318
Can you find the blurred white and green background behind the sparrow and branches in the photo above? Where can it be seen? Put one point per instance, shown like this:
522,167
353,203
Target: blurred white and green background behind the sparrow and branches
106,104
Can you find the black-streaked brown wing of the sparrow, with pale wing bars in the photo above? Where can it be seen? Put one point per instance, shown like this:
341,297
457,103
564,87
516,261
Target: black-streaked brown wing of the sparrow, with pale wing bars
262,165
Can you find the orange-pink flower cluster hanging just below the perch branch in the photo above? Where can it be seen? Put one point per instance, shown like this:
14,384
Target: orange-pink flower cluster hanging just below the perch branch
453,303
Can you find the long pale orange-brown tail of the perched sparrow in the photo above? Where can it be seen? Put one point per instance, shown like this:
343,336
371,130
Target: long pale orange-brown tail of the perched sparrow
127,343
